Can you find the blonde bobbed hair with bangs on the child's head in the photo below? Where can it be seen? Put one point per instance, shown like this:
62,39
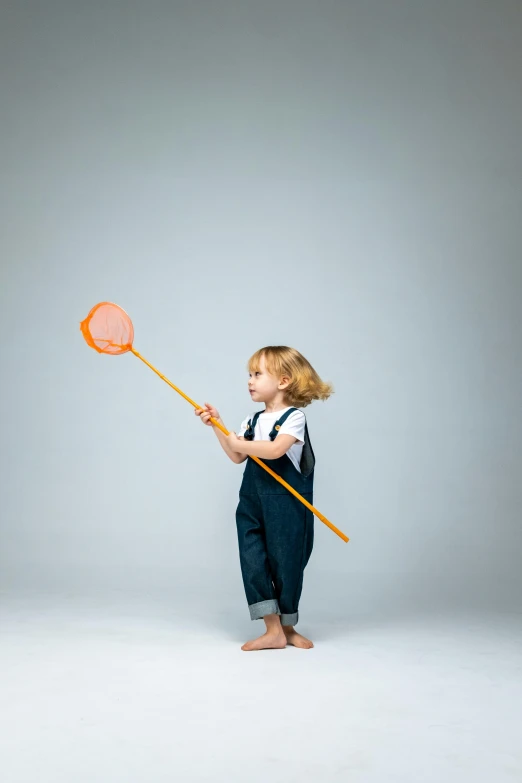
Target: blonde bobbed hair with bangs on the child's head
305,384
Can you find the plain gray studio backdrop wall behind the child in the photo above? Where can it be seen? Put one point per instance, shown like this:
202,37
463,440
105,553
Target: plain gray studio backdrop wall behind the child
342,177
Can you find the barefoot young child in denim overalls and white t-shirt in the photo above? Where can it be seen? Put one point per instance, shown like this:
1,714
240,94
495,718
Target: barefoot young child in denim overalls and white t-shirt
275,530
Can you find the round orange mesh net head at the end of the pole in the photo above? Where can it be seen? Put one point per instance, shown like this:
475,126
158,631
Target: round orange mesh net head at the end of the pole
108,329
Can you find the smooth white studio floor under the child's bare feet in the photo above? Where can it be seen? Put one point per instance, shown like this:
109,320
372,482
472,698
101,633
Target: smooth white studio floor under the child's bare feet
98,688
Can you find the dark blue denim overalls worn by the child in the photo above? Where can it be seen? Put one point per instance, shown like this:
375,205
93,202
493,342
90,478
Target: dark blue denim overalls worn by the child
275,530
